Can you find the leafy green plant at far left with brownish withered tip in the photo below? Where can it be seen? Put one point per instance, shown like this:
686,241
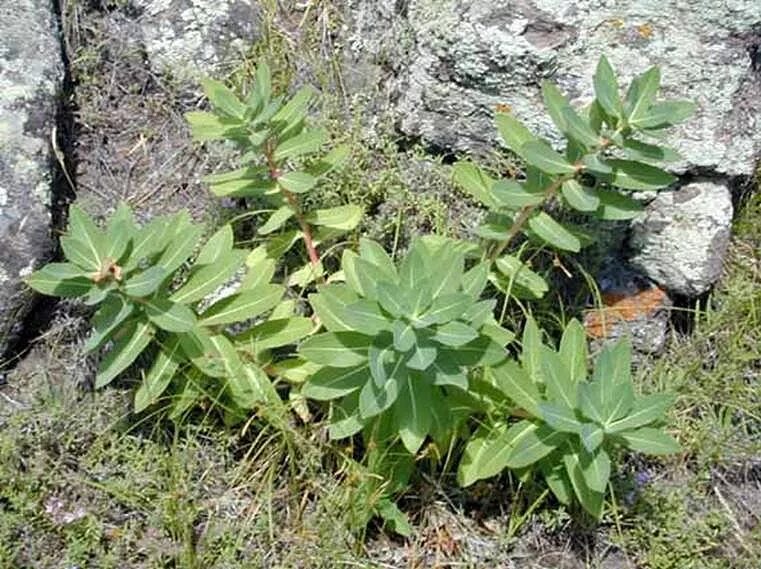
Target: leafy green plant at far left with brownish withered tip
150,293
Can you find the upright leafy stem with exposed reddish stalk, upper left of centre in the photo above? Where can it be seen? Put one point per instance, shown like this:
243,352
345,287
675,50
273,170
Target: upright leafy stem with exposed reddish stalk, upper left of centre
272,135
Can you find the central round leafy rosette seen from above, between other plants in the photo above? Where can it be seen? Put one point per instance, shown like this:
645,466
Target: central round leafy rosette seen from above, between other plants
400,342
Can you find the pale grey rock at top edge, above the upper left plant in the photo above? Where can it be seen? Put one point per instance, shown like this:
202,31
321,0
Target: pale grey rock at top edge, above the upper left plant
189,38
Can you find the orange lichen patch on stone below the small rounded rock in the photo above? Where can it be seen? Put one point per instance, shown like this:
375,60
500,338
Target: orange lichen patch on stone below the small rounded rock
619,307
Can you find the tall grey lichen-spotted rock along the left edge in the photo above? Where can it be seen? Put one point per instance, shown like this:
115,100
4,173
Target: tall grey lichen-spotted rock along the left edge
31,71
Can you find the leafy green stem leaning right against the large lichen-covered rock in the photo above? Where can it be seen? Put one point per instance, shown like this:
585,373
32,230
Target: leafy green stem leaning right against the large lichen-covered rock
612,148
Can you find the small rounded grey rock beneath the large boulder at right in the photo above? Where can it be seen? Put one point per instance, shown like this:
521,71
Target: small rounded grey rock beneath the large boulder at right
683,236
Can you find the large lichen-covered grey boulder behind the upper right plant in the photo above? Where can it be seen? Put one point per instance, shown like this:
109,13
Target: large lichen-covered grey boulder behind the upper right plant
467,57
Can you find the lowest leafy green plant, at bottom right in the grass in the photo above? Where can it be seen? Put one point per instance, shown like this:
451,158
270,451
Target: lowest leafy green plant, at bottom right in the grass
571,424
